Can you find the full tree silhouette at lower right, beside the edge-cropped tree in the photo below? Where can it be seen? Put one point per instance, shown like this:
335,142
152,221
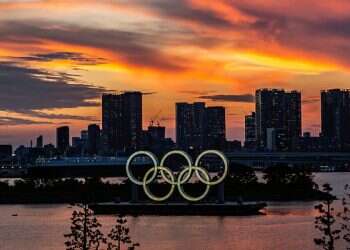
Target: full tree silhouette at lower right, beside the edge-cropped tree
325,221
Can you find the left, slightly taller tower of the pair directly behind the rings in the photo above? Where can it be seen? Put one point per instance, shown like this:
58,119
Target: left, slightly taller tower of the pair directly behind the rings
190,125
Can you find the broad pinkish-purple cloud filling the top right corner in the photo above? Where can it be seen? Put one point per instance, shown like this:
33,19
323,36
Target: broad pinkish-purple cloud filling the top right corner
304,28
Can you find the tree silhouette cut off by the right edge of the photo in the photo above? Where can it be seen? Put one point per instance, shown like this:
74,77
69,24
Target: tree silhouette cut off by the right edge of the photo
345,216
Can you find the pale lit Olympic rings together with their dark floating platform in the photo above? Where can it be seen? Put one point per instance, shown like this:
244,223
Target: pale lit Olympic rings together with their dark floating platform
191,205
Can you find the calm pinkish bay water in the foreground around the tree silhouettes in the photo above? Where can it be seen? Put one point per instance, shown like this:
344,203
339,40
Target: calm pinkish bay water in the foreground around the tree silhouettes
287,226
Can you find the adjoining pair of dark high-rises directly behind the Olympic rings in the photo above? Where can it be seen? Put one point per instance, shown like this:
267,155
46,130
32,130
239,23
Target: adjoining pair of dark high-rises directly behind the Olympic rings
198,127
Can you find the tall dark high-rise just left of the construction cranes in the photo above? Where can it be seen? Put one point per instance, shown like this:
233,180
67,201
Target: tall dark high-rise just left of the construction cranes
122,121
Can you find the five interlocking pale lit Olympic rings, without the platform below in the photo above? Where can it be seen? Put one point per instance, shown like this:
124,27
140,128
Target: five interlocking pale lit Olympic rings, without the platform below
183,177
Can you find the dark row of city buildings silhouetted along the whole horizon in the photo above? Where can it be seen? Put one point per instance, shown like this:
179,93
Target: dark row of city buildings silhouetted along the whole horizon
286,113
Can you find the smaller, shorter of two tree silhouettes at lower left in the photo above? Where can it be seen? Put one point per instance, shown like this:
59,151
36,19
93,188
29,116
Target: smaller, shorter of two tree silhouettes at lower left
120,236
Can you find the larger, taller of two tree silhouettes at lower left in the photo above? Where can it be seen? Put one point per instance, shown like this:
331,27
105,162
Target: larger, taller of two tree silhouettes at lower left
85,230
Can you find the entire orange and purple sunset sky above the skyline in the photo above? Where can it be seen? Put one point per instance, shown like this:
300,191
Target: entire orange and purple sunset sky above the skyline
58,57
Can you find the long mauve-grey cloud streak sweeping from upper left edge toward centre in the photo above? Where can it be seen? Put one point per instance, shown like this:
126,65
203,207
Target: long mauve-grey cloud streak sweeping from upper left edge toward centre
134,48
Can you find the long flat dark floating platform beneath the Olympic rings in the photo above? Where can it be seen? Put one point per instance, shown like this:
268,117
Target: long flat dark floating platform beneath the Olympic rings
164,209
